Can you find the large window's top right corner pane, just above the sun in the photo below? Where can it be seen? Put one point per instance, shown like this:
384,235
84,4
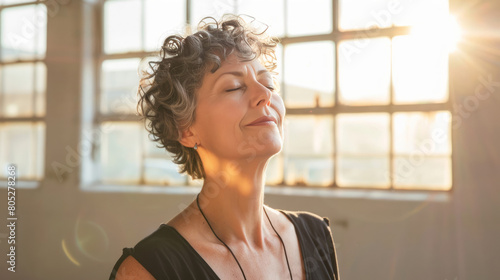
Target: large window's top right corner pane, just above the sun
410,12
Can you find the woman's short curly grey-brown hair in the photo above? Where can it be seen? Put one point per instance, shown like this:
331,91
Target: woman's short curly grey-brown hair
167,91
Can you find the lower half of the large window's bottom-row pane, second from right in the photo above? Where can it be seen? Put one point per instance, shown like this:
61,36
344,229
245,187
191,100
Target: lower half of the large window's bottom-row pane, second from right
363,171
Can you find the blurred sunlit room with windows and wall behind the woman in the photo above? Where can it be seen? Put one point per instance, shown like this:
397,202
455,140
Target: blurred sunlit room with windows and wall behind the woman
392,131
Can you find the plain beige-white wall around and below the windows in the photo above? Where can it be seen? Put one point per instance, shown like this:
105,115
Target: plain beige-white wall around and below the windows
451,238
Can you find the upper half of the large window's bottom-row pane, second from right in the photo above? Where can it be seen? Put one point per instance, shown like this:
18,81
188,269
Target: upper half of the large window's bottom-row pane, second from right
363,134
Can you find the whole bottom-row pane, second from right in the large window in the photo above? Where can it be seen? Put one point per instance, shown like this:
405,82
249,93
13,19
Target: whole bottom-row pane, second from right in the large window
363,150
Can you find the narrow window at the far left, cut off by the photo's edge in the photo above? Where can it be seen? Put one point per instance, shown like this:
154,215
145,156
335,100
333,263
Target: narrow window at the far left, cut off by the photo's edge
23,26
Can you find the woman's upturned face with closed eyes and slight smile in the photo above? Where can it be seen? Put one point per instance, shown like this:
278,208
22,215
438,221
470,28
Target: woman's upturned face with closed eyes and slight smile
229,101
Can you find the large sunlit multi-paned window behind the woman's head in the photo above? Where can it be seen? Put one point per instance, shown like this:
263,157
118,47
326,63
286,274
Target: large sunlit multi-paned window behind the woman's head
365,82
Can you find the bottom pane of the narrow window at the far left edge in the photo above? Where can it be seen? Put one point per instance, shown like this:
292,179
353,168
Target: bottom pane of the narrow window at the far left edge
23,144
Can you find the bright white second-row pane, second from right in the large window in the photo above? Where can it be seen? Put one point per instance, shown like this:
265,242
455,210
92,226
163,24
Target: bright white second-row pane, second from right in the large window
365,71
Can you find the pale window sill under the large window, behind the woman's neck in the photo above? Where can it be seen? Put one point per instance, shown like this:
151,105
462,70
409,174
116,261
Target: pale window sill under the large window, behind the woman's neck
378,194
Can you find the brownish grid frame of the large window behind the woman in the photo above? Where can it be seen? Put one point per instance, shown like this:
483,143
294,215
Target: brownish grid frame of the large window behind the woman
336,36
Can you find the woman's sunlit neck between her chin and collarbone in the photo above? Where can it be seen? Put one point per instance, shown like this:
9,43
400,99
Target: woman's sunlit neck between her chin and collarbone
232,199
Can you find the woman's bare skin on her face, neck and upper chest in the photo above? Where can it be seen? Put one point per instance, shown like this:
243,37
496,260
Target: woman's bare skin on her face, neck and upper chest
235,157
